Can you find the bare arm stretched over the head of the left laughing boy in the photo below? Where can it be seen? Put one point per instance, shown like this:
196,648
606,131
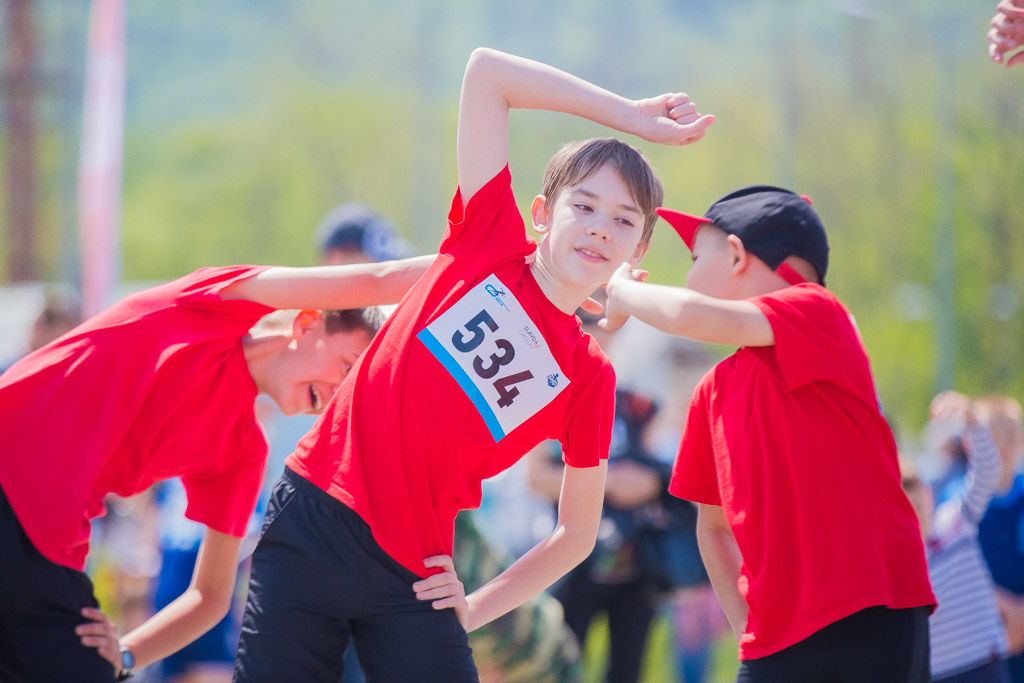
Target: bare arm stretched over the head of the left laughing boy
332,287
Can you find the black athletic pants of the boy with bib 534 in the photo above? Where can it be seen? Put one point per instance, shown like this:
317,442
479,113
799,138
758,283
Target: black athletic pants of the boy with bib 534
319,579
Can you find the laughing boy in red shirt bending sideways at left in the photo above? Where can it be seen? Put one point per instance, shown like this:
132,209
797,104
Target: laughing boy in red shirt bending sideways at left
159,386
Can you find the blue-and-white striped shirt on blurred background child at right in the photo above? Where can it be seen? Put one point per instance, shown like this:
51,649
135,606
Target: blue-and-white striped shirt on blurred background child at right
966,629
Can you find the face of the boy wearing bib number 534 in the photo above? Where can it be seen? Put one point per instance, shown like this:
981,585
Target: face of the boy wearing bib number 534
591,230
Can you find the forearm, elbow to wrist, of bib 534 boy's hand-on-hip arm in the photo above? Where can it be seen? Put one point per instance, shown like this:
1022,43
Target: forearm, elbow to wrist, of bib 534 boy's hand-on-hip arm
531,575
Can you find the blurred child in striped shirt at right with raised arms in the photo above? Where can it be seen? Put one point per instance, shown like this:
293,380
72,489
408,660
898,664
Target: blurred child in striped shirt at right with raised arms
968,641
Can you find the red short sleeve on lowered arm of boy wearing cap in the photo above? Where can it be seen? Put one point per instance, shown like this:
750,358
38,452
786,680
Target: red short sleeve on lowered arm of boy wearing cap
695,476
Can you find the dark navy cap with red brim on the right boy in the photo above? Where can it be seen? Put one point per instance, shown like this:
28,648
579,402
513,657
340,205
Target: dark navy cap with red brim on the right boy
774,224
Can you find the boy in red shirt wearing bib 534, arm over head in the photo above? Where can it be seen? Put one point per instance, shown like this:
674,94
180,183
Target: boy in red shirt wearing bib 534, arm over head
481,363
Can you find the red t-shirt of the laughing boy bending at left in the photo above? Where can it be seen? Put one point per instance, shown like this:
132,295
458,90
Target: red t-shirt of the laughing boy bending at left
154,388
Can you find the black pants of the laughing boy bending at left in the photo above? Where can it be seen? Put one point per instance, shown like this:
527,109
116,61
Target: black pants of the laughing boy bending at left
40,606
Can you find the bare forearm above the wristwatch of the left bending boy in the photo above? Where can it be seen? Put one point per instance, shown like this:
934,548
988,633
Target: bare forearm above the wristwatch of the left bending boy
179,624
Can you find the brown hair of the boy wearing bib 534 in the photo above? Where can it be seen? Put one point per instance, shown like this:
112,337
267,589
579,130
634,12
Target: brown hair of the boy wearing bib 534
575,162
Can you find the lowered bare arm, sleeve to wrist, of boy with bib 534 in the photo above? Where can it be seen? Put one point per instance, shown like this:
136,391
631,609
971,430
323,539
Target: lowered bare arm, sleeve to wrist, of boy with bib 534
571,542
